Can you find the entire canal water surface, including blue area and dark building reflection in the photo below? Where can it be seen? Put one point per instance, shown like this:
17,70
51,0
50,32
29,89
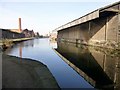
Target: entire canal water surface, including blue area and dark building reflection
73,66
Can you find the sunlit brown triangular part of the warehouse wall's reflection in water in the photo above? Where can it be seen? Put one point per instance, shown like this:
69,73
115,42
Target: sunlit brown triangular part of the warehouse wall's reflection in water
110,65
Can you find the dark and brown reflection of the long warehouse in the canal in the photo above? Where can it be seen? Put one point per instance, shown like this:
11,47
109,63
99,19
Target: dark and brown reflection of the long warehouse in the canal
99,69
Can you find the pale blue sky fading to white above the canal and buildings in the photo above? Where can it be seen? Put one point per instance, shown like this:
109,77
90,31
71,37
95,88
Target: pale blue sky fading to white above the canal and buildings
43,16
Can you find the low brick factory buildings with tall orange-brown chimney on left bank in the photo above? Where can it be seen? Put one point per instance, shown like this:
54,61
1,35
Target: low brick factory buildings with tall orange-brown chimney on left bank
16,33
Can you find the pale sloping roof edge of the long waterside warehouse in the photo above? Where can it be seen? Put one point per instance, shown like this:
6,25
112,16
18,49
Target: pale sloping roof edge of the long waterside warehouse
112,8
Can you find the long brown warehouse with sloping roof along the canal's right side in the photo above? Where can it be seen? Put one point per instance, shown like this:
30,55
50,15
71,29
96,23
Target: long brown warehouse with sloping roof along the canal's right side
98,28
